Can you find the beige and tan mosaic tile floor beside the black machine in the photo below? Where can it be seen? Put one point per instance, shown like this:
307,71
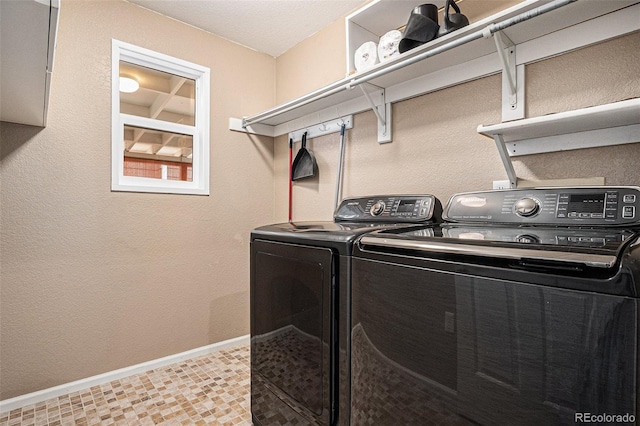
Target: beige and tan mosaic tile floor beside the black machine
208,390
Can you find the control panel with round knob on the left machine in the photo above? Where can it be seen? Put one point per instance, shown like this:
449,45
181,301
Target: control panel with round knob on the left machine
389,208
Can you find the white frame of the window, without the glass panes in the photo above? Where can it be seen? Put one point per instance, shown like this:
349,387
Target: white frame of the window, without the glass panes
199,185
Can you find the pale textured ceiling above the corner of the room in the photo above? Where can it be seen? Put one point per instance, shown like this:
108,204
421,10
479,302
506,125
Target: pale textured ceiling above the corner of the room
268,26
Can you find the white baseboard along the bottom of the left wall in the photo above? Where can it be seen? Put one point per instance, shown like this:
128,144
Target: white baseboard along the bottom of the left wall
45,394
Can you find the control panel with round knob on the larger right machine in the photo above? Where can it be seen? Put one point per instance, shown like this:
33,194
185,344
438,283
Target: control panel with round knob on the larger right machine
574,206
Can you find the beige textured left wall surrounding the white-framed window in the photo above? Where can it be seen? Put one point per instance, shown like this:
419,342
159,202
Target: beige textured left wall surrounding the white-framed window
94,280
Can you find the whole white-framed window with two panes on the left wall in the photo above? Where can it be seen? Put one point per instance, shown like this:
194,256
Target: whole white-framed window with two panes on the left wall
160,123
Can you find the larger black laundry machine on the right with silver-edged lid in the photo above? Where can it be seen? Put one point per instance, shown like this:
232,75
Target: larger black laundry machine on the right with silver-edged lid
521,310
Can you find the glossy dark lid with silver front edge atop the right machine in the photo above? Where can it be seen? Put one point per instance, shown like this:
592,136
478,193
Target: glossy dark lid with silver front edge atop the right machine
597,248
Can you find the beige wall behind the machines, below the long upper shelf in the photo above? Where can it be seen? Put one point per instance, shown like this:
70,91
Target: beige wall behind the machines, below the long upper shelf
436,149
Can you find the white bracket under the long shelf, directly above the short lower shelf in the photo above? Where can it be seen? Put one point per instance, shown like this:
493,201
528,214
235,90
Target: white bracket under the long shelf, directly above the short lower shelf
512,78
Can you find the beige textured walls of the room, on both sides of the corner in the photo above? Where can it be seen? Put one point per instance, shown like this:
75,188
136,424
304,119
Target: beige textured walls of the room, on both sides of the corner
93,280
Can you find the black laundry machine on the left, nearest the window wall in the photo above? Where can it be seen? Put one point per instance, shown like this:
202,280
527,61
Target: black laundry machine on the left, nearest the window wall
300,314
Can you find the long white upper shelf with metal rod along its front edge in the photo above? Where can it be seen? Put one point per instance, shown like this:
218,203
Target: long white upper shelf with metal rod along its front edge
524,22
